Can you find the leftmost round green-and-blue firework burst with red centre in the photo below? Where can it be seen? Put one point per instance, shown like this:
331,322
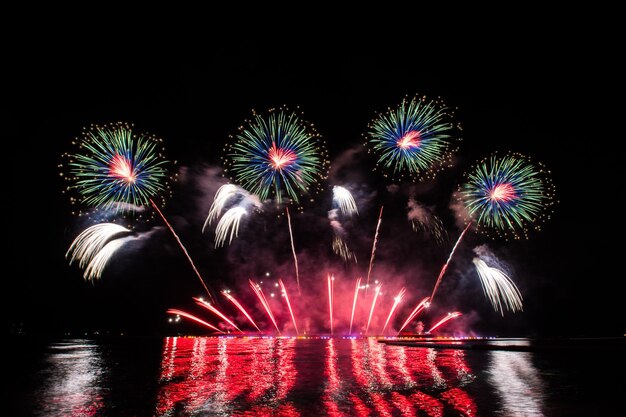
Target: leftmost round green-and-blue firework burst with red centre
115,168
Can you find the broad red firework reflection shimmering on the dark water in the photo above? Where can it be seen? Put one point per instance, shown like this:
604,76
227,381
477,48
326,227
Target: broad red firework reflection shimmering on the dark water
256,376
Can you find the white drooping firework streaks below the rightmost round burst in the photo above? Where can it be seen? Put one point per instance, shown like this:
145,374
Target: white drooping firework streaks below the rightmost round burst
498,287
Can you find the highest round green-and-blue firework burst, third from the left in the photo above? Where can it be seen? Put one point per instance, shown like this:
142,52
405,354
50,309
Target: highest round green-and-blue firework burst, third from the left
416,139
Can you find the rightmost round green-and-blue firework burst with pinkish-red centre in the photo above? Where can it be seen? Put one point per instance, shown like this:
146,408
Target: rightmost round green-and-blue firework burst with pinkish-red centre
507,194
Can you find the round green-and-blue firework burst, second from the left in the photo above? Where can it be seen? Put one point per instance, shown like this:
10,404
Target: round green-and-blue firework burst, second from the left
277,156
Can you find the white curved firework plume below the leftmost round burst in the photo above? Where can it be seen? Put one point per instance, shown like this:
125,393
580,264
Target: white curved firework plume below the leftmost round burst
94,246
